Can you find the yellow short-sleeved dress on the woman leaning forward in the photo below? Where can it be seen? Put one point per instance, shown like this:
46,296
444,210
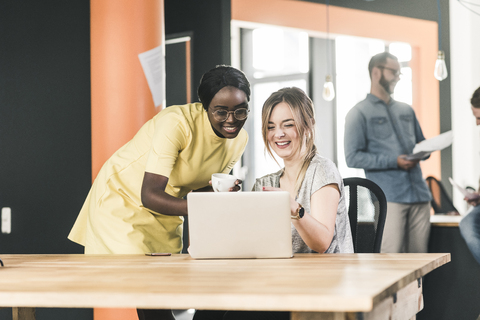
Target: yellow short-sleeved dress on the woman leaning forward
178,143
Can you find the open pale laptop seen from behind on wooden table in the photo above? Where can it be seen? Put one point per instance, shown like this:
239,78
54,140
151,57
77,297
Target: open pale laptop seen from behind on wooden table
239,225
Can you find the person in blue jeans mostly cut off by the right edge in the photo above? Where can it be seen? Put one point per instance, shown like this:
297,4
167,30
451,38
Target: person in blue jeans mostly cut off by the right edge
470,224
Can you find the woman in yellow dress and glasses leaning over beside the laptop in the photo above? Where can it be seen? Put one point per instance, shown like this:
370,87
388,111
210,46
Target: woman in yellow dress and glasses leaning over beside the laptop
135,204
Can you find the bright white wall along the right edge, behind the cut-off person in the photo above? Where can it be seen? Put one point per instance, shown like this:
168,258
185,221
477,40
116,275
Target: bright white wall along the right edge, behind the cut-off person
465,78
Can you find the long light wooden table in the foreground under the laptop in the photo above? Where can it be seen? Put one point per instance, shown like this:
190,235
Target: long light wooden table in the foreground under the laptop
312,286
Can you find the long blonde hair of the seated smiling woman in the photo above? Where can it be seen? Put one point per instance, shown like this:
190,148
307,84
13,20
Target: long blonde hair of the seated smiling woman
303,114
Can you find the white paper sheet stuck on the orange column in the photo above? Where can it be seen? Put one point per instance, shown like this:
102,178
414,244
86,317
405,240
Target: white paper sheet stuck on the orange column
153,64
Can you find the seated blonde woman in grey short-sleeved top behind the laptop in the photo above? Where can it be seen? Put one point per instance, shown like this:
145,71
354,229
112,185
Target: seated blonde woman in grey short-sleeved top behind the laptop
320,221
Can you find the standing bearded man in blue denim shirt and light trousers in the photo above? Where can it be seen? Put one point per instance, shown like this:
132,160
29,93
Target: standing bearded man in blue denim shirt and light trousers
379,133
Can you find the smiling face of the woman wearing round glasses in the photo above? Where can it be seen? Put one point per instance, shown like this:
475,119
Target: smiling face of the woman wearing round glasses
228,99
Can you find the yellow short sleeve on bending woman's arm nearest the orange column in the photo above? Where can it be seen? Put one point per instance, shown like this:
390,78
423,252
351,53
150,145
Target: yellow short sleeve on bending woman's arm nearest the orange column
169,138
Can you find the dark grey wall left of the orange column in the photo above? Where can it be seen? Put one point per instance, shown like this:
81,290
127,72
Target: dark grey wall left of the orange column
45,157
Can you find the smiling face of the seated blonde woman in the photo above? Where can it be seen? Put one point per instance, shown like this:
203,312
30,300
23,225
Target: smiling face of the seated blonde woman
282,135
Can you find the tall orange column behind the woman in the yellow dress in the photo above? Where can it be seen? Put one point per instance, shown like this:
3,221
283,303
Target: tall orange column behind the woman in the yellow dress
121,99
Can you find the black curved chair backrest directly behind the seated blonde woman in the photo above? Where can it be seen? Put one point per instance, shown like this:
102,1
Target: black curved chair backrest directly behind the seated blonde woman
367,210
